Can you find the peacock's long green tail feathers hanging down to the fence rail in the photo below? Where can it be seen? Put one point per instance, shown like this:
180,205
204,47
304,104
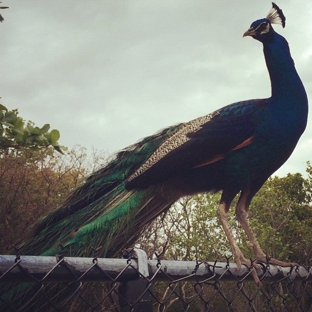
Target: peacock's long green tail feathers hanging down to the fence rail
102,212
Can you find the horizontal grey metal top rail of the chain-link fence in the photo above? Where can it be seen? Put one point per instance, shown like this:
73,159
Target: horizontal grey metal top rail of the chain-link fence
53,269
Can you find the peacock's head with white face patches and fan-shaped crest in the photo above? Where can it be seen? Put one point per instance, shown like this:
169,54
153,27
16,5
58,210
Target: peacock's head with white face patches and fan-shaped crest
262,29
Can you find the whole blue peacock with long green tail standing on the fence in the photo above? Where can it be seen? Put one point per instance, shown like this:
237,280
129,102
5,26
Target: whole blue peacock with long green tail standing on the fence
234,150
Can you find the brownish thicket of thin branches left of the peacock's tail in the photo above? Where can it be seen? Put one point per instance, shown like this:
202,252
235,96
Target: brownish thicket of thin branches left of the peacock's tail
36,181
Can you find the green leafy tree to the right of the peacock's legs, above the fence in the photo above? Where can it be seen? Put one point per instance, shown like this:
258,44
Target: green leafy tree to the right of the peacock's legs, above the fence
281,216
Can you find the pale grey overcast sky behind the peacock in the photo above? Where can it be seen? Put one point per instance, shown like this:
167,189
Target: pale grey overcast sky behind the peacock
108,73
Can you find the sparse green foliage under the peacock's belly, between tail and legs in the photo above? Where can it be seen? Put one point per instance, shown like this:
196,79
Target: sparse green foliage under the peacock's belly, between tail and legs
190,230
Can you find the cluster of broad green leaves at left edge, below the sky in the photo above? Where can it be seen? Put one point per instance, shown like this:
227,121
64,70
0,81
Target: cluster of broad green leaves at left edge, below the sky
16,134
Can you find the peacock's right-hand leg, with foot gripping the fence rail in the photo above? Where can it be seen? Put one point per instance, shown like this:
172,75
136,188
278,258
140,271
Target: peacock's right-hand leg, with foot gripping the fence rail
242,217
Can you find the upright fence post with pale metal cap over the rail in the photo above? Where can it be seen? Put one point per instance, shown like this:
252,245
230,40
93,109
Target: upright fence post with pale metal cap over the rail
136,295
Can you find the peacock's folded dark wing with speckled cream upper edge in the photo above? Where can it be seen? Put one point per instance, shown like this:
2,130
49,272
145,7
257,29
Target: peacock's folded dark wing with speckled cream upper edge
201,142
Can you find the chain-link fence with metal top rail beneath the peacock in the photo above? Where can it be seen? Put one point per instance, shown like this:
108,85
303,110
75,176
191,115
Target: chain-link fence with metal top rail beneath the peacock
30,283
